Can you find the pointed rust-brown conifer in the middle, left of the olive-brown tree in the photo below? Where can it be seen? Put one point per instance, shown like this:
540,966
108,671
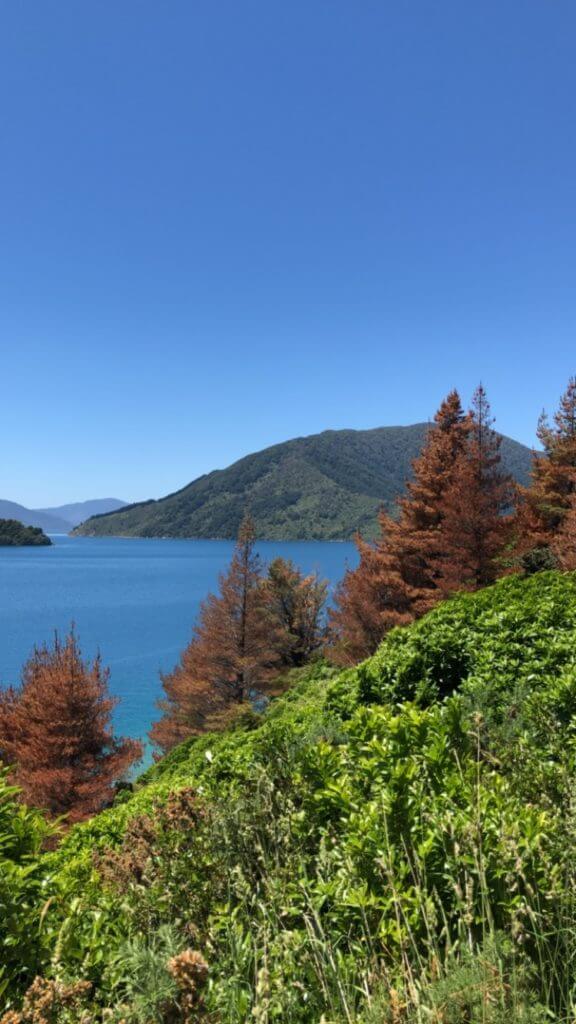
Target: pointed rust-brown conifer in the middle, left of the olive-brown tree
232,659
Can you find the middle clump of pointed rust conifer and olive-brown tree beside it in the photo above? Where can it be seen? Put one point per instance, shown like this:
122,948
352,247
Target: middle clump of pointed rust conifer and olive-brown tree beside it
257,628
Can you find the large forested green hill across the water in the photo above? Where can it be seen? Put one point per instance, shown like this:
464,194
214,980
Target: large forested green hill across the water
325,487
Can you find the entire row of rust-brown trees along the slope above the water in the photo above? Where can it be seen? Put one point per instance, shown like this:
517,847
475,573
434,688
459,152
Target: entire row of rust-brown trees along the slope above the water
462,524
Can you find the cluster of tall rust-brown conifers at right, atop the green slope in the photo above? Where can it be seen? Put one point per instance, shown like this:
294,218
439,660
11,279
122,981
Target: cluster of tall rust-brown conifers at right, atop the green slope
463,524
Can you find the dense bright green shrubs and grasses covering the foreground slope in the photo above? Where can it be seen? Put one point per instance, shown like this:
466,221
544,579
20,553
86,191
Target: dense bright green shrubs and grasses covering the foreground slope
389,844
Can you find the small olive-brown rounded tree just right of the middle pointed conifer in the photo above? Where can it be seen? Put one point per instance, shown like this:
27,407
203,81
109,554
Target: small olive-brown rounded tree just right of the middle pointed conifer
296,604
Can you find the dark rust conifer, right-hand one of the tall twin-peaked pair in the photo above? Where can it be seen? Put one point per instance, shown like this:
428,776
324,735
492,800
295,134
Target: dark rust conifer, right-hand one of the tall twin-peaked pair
476,519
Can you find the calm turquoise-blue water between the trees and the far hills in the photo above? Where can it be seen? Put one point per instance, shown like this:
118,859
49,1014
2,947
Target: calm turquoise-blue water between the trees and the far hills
134,601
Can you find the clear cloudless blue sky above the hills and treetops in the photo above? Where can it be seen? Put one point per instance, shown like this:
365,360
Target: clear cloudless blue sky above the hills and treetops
227,224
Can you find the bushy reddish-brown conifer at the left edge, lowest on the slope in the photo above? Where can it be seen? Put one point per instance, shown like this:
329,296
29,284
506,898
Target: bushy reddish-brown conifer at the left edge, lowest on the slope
56,731
